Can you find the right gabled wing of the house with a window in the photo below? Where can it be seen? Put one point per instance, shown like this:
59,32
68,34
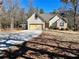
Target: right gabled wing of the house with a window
58,22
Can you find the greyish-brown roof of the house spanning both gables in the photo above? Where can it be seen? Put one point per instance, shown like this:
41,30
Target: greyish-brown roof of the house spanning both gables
46,17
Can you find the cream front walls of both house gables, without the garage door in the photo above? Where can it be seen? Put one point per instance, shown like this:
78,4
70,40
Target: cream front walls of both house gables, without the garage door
37,21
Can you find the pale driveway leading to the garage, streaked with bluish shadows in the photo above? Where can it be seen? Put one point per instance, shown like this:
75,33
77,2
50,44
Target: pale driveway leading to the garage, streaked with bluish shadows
16,38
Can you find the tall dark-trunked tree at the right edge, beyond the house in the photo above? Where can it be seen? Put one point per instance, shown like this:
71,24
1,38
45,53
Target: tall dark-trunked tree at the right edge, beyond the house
74,4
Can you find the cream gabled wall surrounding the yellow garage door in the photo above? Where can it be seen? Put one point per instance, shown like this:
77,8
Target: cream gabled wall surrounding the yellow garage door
33,20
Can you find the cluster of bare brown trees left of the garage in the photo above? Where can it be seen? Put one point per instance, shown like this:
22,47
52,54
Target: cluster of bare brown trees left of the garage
11,14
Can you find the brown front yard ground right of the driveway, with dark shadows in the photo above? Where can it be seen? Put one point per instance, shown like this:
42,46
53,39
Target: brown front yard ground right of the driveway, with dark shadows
49,45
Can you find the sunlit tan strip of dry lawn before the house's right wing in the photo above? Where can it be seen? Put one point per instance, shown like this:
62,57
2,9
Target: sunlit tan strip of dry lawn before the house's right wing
65,35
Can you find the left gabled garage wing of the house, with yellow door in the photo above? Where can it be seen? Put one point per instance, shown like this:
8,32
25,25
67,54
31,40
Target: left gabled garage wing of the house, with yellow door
35,22
